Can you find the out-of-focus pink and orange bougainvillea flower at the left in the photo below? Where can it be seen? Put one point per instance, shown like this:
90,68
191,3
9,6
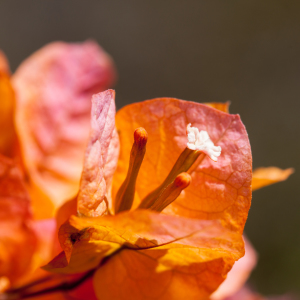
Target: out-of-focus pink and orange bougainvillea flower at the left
74,72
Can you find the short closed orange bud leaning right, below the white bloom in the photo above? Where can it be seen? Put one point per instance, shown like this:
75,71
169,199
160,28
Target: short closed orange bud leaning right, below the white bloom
171,193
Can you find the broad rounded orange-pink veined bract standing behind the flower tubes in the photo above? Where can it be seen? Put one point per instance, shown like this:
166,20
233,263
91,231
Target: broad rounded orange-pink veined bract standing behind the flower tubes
218,190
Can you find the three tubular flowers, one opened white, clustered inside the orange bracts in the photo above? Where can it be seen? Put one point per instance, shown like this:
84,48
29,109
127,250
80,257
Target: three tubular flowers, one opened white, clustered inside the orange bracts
176,181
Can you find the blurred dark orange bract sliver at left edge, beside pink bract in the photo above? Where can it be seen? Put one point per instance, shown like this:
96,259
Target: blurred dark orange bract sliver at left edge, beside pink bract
7,106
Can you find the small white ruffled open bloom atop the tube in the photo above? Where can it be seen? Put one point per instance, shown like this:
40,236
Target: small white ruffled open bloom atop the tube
201,141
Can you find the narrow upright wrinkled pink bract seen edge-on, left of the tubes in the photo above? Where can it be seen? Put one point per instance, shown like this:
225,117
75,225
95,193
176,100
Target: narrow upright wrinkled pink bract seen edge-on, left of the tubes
97,170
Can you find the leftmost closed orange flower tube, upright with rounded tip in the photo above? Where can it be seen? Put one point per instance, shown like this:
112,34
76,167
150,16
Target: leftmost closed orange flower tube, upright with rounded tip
125,195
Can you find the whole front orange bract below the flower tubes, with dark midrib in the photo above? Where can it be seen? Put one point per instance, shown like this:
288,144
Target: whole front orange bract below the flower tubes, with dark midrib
170,245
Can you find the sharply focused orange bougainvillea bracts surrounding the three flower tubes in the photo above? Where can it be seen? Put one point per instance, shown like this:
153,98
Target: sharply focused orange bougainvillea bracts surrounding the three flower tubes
189,248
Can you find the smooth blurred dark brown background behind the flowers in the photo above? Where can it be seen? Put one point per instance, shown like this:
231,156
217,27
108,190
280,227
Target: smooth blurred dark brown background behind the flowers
247,52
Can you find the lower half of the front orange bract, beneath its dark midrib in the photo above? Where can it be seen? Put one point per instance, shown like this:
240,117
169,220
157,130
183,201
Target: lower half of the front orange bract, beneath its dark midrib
191,268
